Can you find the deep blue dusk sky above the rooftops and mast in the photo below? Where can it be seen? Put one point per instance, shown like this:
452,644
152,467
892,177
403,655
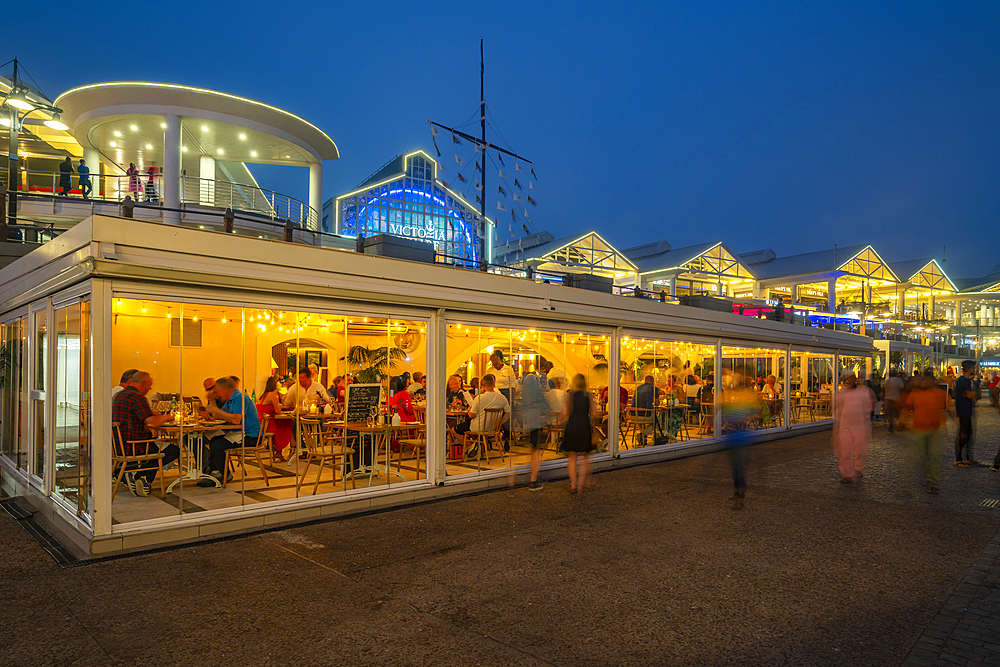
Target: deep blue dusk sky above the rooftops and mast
792,126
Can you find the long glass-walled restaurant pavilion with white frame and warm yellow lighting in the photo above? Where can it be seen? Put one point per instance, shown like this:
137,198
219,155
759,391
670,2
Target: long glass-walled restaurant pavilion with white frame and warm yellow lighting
186,306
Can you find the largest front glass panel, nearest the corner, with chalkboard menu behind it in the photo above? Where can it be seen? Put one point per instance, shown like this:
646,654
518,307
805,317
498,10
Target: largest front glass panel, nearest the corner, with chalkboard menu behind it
299,373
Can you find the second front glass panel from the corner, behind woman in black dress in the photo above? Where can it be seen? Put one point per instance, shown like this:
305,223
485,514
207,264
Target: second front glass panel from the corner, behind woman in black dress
533,373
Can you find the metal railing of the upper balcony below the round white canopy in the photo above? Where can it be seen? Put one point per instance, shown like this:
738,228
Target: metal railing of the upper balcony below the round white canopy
148,189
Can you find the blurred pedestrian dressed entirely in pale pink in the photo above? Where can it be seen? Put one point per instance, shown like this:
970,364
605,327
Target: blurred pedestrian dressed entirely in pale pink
852,428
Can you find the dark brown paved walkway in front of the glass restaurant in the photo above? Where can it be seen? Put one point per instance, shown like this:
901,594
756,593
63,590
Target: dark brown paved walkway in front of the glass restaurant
650,568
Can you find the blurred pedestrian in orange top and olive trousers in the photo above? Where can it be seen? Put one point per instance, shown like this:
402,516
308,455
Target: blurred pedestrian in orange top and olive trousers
927,405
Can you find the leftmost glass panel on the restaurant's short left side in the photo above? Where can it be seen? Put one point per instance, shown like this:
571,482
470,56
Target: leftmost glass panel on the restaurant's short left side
13,392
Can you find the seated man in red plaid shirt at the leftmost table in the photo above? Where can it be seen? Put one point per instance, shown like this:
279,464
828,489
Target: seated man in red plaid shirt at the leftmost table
134,416
